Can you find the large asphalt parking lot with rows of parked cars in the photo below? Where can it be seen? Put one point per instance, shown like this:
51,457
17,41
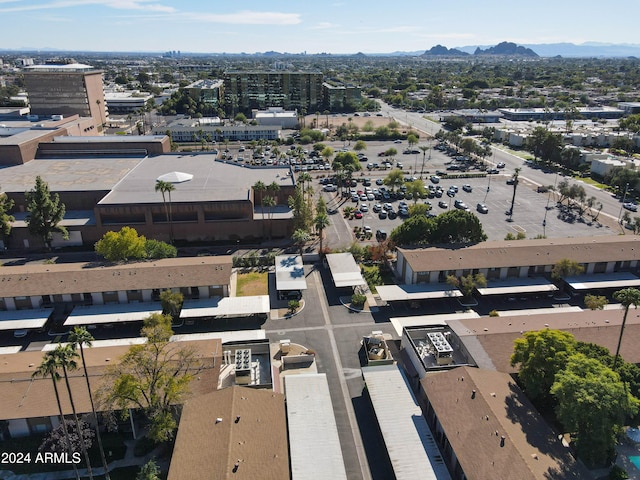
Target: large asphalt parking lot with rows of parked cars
487,196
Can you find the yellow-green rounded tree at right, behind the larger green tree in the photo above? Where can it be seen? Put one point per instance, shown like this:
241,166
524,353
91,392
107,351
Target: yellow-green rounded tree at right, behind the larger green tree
540,355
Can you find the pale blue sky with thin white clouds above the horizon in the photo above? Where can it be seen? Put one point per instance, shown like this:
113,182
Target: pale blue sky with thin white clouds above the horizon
295,26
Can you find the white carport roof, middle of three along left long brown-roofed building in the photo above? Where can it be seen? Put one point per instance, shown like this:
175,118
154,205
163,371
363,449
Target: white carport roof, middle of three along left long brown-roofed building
111,313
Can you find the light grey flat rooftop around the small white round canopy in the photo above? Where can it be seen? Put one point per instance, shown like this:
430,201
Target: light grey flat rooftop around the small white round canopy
212,180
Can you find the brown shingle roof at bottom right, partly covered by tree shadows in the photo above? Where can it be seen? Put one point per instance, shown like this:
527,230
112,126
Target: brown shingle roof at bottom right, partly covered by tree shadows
477,408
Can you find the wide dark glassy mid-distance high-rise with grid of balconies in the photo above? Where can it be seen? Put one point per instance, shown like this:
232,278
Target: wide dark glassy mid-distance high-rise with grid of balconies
248,90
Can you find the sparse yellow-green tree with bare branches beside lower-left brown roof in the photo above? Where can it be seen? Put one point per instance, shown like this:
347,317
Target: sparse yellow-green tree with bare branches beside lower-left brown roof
153,377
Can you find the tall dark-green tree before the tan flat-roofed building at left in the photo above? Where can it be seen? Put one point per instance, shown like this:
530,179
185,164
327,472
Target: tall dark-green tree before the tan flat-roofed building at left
45,213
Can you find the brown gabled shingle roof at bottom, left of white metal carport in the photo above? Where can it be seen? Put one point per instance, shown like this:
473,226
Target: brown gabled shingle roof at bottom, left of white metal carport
238,432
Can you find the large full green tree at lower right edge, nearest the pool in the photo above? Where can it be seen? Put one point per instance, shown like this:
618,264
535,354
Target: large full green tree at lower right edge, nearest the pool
593,403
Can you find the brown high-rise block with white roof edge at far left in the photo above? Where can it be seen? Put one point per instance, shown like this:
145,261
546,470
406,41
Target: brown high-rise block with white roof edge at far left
66,90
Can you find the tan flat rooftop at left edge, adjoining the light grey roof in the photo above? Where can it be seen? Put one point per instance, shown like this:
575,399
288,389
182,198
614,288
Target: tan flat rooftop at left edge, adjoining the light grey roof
67,175
